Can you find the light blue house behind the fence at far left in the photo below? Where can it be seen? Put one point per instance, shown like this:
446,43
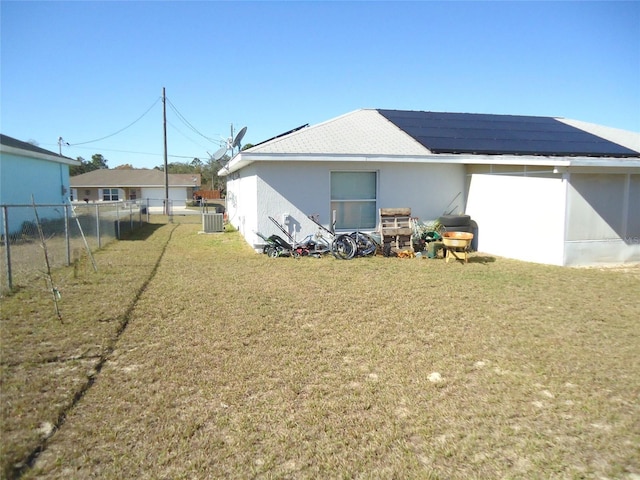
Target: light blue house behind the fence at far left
31,174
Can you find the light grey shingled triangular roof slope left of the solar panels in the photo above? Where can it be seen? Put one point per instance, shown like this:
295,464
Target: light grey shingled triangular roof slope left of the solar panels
362,132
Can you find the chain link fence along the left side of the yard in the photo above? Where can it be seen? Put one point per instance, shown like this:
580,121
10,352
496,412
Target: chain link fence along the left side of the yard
68,230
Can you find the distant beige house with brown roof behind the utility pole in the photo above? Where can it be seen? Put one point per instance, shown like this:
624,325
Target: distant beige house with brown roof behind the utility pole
109,185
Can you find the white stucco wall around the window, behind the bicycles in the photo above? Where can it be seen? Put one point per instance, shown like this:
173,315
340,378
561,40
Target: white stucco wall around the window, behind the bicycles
300,189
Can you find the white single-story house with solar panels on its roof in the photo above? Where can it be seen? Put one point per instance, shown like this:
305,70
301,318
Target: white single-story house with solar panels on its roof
540,189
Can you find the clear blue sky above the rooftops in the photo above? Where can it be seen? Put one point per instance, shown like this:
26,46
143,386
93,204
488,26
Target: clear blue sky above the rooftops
84,70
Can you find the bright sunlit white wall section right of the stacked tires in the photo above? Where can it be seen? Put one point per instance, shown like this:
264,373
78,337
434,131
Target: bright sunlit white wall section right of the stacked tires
519,217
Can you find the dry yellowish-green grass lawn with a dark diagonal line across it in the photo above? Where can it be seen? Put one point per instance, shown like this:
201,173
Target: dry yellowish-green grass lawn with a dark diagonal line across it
190,356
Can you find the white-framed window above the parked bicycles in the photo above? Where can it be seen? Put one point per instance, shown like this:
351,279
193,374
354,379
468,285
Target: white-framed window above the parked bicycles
353,197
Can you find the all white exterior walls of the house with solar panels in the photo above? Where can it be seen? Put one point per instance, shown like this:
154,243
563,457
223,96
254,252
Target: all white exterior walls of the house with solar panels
573,219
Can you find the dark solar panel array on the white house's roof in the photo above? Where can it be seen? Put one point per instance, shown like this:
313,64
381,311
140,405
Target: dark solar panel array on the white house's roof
501,134
